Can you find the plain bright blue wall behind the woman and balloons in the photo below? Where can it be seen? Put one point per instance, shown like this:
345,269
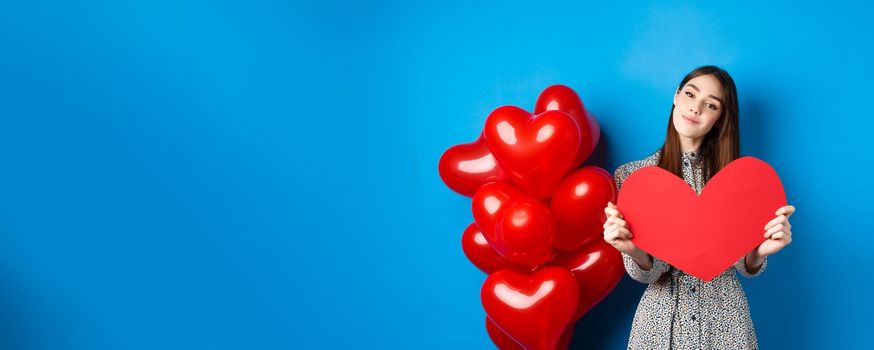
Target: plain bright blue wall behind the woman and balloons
263,175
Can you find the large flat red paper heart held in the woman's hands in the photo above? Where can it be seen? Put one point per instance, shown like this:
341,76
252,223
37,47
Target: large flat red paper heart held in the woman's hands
701,235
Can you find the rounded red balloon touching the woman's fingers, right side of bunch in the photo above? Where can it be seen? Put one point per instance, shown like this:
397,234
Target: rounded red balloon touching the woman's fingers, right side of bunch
578,206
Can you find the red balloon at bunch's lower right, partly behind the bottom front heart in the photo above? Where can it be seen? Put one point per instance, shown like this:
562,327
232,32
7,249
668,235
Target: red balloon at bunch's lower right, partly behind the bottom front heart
597,267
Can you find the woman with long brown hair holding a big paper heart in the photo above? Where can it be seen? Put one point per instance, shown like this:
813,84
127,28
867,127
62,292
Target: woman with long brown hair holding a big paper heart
677,310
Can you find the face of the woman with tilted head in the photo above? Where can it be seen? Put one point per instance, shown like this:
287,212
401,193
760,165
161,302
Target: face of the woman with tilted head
697,106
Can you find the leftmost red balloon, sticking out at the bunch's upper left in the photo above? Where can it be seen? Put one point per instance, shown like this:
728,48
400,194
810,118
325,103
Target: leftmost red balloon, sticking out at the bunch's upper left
467,166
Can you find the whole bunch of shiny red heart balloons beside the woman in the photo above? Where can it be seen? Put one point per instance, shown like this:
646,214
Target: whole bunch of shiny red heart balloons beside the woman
538,219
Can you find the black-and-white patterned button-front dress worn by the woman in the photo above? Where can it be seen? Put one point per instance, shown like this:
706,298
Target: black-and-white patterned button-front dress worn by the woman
679,311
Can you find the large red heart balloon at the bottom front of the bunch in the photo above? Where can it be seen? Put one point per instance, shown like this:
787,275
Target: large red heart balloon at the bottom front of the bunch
533,309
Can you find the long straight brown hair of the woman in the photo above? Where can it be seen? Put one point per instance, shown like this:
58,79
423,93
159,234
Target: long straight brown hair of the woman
721,145
